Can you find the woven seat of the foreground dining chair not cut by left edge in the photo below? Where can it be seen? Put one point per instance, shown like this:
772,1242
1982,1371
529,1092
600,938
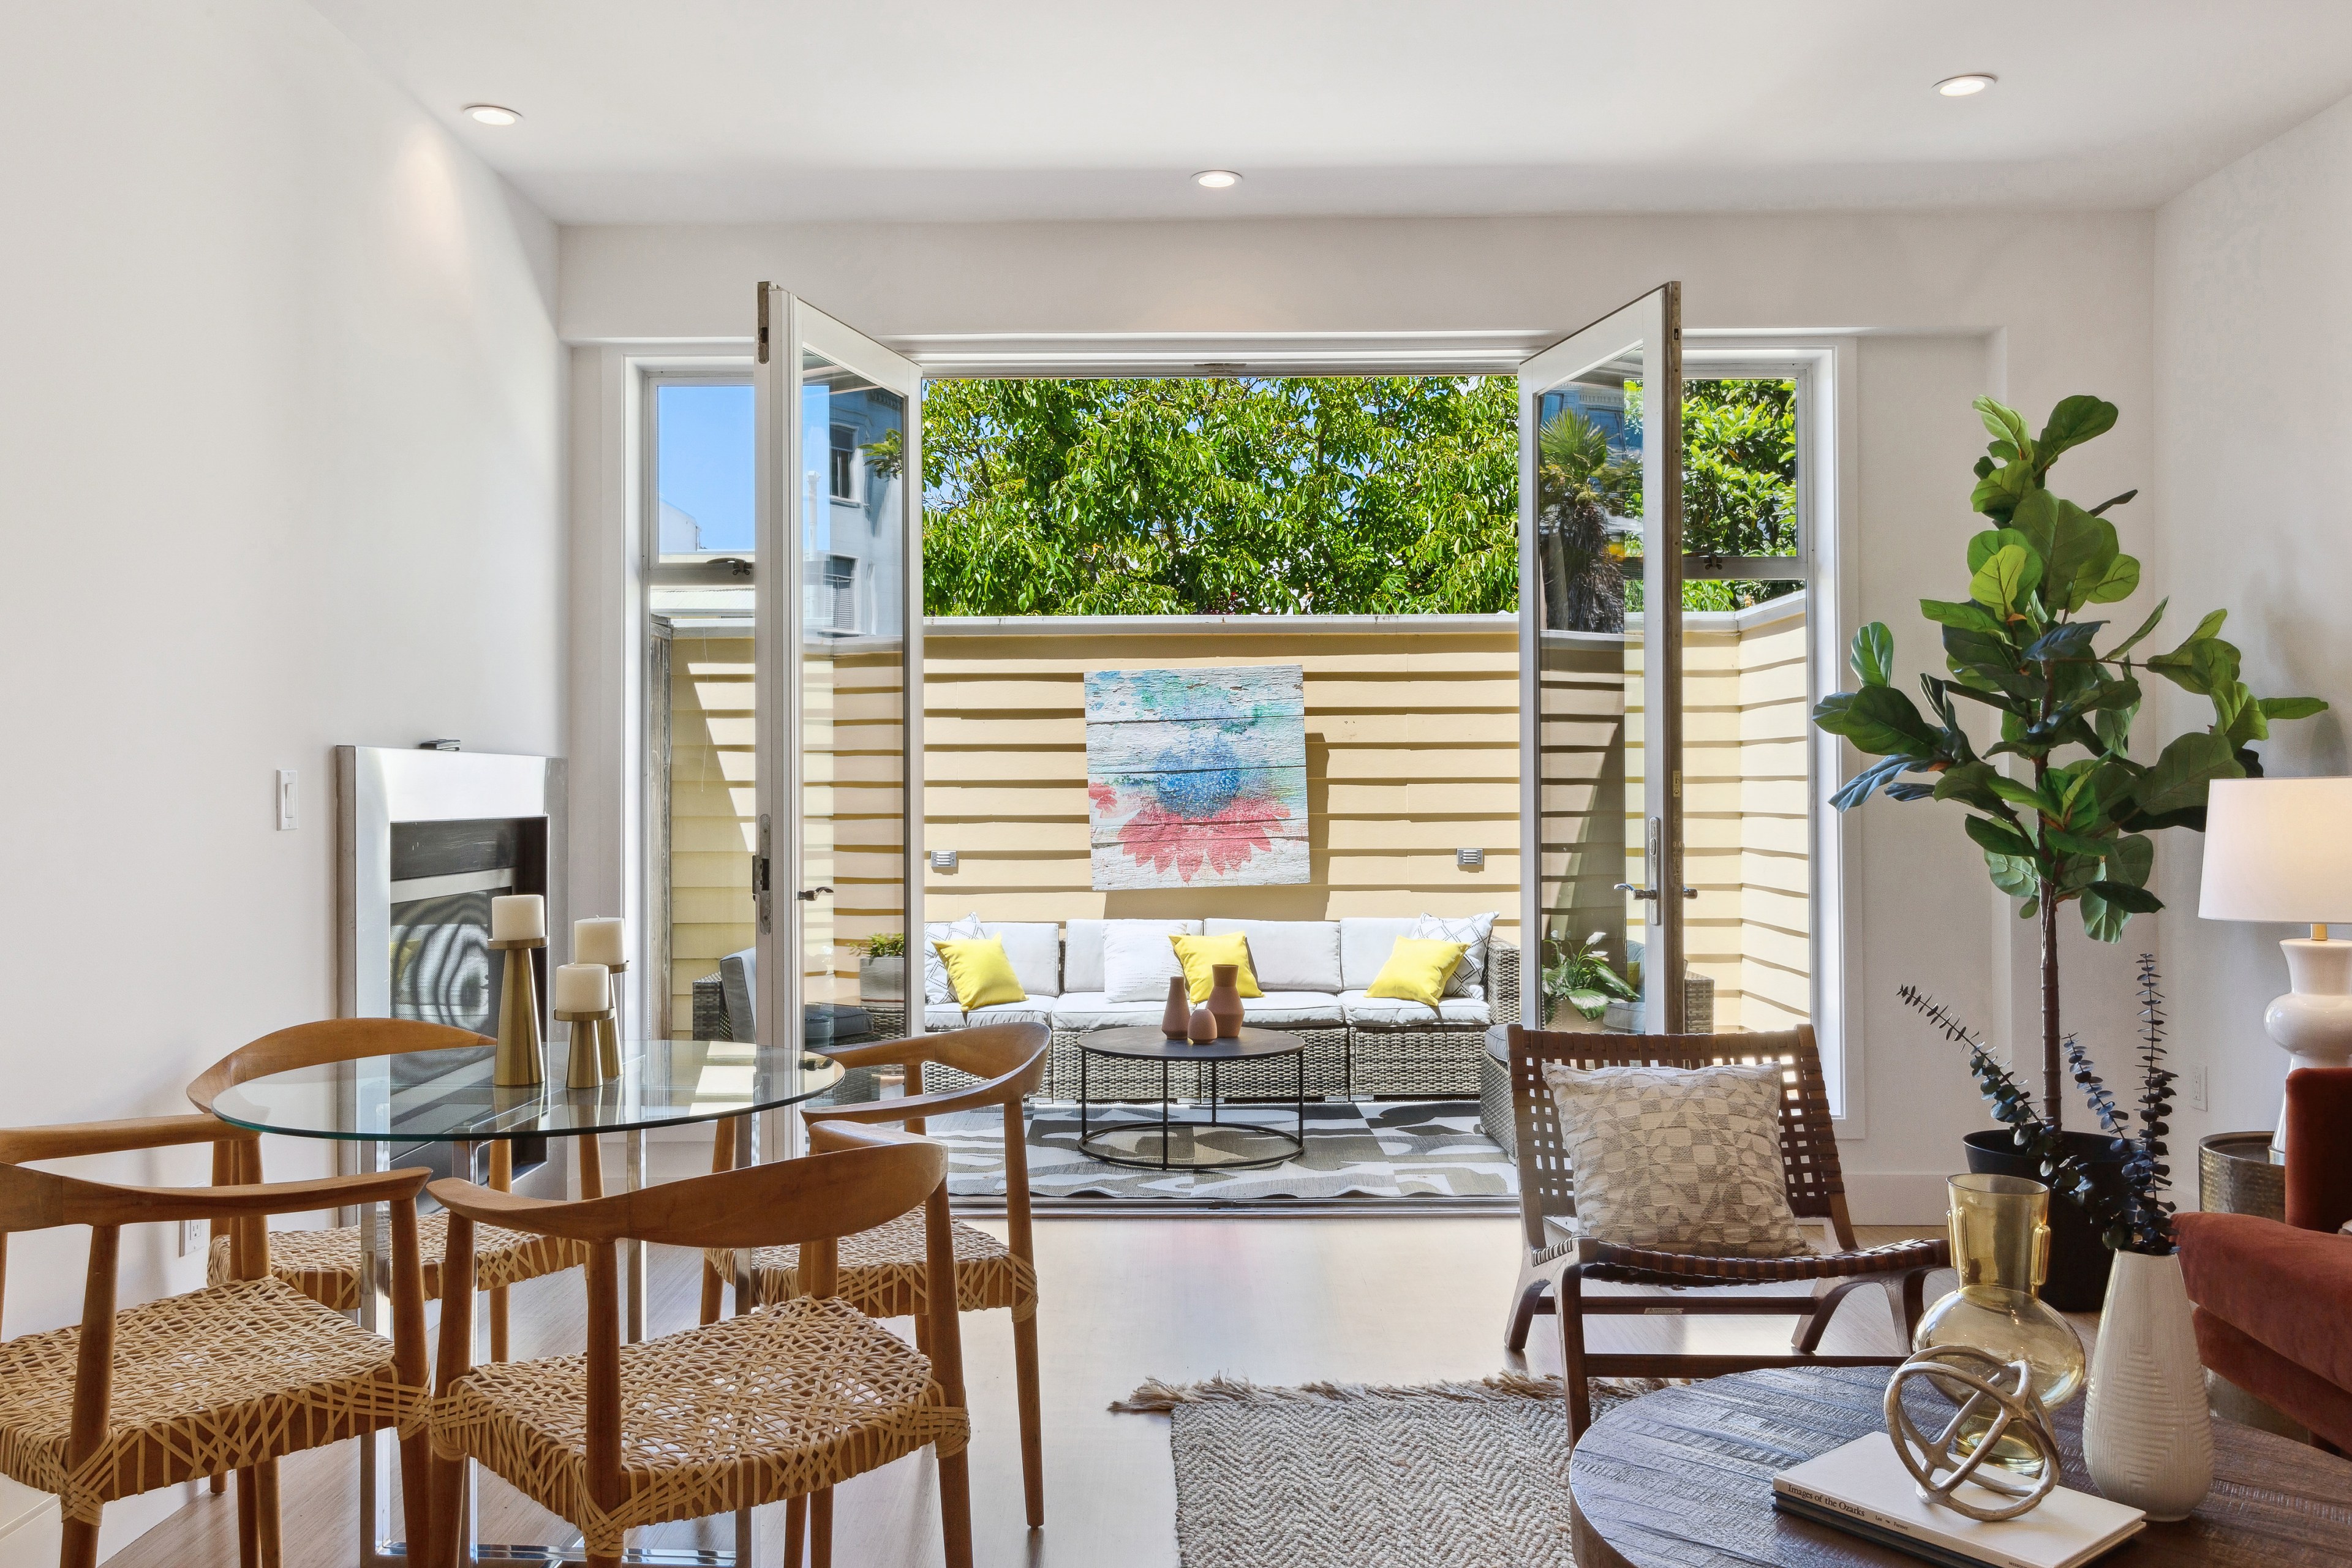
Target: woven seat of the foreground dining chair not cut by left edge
754,1409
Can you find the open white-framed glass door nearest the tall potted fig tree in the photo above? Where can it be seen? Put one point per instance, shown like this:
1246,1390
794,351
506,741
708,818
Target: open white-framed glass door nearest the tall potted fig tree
1601,659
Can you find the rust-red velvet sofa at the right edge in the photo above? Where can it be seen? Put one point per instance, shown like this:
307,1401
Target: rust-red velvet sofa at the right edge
2276,1301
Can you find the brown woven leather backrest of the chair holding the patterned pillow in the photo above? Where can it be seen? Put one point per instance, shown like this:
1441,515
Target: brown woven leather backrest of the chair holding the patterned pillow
1808,1144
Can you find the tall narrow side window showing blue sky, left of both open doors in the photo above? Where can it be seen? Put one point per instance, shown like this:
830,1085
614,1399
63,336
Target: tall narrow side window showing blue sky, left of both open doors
702,810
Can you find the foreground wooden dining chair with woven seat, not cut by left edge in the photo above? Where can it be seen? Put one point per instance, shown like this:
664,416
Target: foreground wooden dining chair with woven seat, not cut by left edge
773,1405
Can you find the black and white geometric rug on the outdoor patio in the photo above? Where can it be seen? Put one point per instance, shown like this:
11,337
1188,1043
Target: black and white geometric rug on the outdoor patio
1354,1151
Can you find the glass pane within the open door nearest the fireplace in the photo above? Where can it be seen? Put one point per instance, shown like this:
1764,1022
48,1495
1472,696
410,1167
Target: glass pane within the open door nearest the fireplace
853,704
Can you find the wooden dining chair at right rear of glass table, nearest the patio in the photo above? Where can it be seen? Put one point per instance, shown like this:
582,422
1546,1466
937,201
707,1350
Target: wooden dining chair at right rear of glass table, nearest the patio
886,1273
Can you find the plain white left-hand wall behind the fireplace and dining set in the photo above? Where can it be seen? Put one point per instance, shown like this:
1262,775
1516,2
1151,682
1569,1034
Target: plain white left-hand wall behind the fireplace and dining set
279,455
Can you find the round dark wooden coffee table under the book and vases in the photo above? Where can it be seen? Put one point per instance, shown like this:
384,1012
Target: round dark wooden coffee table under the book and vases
1683,1480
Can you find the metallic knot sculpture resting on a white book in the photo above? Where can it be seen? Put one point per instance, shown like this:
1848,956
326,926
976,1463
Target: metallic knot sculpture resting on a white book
1996,1405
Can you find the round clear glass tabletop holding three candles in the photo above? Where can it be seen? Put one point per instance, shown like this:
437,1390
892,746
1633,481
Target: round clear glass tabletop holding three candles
446,1097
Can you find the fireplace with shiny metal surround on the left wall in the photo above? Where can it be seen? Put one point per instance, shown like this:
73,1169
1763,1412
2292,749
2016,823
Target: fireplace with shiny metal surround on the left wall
427,840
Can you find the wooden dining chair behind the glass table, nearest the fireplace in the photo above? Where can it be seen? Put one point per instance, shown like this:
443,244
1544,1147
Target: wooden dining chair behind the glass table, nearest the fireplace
326,1264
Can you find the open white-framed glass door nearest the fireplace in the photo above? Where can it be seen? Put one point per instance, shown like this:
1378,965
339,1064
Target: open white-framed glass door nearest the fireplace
838,671
